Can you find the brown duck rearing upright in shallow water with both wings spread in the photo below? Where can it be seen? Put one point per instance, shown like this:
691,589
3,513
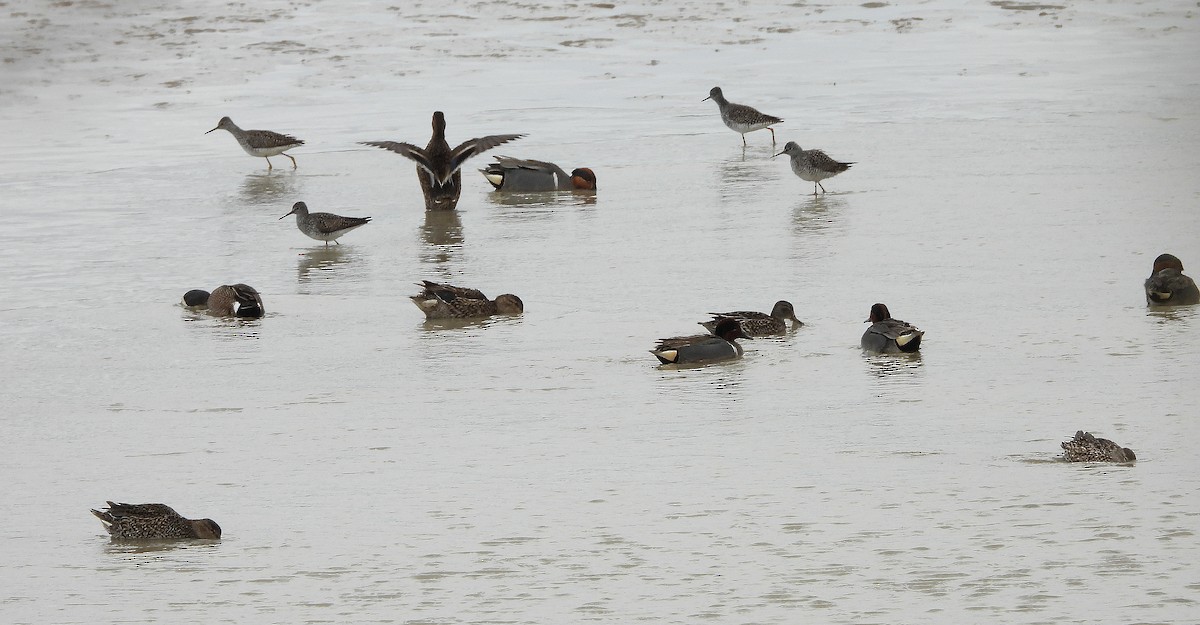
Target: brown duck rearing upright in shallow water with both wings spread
439,167
